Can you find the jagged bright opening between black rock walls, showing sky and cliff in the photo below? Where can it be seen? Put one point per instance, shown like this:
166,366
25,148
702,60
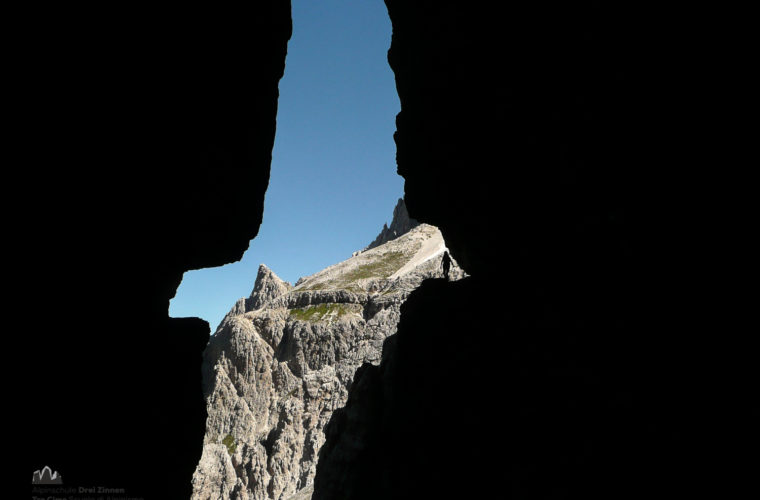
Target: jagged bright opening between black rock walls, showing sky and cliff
270,389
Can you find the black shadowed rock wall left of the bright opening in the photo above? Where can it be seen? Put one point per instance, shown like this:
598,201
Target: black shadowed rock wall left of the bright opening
152,135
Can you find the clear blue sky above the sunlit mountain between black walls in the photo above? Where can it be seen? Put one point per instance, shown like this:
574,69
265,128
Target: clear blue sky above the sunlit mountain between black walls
333,179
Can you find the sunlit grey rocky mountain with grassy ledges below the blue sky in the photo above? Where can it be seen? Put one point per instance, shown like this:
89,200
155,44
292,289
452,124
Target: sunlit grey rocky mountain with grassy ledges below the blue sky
282,360
